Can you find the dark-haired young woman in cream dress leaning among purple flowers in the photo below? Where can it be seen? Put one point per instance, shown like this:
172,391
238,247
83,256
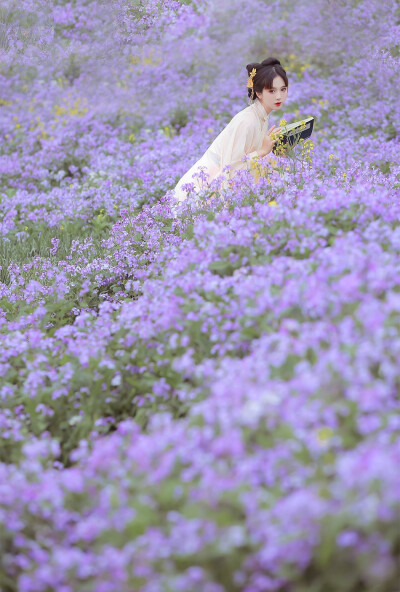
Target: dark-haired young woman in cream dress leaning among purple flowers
247,132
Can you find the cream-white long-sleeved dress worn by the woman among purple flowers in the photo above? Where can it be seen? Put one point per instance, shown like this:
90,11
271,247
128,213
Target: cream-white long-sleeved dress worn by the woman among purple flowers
244,134
